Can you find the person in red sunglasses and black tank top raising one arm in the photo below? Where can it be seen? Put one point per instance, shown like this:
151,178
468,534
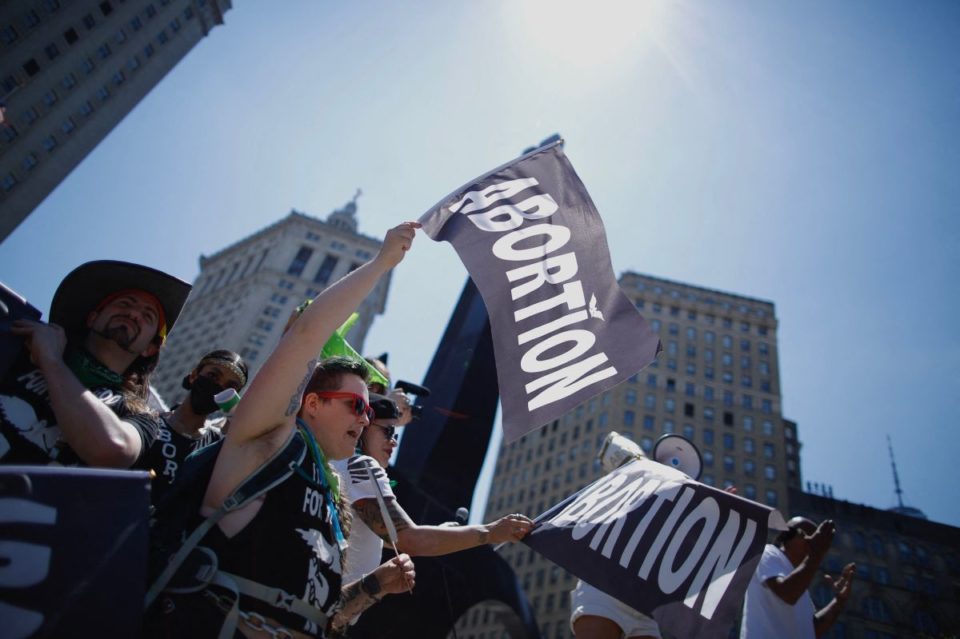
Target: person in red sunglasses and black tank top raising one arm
283,552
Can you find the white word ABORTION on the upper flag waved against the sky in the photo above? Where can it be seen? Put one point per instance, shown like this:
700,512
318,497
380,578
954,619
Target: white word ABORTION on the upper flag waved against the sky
564,372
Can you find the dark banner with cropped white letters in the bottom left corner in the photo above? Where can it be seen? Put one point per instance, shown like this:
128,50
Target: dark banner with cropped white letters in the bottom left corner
73,551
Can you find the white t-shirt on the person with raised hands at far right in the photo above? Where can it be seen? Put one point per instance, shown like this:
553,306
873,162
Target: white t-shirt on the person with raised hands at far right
767,615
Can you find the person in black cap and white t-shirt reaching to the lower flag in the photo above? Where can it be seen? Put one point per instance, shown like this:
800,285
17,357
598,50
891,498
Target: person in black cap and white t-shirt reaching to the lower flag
367,490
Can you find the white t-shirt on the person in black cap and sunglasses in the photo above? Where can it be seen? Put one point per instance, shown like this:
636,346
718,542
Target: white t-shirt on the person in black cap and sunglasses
364,546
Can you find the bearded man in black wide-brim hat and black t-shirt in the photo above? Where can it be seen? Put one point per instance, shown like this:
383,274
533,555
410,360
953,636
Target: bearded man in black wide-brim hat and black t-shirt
78,394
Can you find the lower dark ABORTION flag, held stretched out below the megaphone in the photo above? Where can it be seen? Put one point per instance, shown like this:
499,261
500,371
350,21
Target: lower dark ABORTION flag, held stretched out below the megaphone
674,549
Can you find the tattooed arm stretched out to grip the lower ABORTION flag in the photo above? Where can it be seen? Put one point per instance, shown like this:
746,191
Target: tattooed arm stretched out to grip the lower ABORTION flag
430,541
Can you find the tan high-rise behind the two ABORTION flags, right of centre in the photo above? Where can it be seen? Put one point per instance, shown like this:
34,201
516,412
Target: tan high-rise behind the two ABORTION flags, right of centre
717,383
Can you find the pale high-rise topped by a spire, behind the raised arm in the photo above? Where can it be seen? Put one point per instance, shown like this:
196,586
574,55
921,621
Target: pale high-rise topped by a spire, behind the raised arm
244,294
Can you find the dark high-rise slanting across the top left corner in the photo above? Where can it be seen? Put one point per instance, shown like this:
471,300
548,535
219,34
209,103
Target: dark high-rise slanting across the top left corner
70,71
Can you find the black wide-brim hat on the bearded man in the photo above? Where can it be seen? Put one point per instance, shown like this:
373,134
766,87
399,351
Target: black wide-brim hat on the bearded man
86,286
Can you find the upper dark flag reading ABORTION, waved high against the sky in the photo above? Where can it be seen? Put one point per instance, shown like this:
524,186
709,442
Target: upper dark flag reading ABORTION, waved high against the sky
535,246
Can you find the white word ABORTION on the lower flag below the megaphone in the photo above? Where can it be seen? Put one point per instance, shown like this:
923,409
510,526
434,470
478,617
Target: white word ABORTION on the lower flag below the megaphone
603,509
